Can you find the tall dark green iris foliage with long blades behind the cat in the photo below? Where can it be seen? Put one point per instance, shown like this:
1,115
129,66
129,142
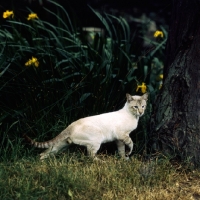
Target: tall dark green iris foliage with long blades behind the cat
51,75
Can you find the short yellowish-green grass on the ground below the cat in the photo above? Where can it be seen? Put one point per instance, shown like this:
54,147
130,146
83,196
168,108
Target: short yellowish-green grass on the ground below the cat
75,176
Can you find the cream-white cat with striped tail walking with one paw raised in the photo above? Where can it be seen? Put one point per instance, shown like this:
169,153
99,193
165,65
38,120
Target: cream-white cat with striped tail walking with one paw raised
92,131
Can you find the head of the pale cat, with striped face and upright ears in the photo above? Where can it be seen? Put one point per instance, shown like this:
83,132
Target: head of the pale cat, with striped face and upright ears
137,104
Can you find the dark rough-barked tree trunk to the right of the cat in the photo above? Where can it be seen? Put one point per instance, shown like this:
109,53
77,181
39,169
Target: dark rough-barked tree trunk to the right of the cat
175,121
